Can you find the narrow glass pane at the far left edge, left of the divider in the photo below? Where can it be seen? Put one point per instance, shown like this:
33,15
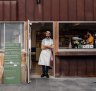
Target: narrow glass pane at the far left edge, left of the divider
1,35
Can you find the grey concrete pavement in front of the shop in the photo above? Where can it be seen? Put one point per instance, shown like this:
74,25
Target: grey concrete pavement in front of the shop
54,84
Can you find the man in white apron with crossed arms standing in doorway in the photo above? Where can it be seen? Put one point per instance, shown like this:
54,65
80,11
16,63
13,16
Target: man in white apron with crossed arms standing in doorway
46,54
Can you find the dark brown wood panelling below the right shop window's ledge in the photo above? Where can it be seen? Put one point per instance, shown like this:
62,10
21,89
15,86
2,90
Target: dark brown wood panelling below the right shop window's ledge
81,66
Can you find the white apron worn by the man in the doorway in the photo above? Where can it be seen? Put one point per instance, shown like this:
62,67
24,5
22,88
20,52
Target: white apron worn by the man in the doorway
45,55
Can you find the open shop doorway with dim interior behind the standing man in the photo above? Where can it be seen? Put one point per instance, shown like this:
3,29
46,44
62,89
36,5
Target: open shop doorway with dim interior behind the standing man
37,34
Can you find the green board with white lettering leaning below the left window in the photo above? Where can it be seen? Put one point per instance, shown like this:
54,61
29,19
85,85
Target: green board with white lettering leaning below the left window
12,61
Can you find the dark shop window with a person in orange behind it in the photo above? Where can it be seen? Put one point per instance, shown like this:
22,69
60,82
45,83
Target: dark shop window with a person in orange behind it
77,35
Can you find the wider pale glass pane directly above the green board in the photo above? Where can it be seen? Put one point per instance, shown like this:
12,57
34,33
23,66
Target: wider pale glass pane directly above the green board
14,33
